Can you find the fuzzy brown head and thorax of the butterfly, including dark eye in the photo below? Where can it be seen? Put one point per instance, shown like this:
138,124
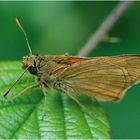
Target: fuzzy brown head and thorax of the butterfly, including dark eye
47,69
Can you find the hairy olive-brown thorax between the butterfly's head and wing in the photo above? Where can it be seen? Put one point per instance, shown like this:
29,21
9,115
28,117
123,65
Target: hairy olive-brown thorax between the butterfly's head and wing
49,74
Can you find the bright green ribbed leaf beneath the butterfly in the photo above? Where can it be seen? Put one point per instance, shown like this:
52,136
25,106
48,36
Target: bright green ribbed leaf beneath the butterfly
64,119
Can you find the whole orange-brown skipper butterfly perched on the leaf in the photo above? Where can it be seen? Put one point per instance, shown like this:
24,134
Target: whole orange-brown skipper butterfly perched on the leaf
101,78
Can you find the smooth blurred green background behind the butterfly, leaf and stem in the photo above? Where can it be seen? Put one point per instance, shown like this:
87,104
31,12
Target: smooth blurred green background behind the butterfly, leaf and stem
64,27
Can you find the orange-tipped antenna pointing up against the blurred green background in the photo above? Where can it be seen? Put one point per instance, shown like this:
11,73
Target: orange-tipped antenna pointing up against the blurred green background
22,29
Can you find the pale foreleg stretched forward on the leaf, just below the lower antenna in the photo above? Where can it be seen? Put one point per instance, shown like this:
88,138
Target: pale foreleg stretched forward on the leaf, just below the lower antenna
23,91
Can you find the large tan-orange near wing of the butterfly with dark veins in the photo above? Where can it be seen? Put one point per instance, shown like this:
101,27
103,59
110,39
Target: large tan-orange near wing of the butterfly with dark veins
104,78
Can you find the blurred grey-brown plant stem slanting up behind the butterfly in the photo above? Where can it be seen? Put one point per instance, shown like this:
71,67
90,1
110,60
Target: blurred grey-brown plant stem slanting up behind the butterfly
104,28
